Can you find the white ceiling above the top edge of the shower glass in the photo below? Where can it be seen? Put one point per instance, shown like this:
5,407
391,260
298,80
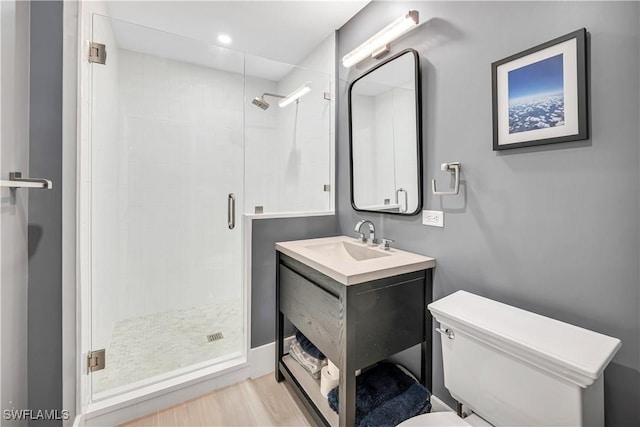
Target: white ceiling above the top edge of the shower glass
282,30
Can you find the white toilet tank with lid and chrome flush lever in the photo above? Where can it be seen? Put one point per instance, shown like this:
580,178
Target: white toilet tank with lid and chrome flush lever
514,367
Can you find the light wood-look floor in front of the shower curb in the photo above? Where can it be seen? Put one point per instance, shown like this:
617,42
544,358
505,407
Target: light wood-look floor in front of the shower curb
258,402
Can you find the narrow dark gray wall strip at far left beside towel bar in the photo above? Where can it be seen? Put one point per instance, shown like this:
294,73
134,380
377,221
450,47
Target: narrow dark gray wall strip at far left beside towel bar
45,210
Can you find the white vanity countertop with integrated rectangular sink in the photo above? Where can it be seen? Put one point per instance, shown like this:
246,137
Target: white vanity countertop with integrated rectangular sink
348,261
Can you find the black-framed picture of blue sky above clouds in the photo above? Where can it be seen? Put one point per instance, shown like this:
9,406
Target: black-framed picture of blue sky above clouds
540,95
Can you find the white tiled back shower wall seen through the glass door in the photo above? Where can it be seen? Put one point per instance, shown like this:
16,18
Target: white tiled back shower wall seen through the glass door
181,138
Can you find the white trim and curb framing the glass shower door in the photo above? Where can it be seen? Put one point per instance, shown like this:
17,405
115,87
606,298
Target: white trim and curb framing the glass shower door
130,404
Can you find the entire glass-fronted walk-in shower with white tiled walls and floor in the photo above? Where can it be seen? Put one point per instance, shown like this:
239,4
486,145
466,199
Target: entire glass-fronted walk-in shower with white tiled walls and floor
177,152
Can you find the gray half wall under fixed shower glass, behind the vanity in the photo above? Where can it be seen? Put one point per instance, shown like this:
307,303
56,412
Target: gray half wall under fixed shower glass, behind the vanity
265,233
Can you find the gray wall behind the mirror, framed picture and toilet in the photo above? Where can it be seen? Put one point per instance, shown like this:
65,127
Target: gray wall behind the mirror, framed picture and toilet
552,229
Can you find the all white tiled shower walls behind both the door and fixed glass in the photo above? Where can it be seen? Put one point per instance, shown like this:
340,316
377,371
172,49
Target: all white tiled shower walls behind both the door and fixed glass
170,141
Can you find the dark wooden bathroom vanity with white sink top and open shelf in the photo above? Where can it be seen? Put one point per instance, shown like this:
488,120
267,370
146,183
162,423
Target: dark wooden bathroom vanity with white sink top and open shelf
358,304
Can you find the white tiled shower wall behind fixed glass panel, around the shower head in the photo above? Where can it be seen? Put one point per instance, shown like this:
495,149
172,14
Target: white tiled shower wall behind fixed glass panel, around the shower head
288,150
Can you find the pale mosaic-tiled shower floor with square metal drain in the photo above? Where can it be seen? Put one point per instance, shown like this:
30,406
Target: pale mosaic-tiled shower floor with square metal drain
146,346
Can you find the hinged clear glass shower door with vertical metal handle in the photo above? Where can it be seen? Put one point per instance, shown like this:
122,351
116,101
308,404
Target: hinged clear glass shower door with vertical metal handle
167,156
